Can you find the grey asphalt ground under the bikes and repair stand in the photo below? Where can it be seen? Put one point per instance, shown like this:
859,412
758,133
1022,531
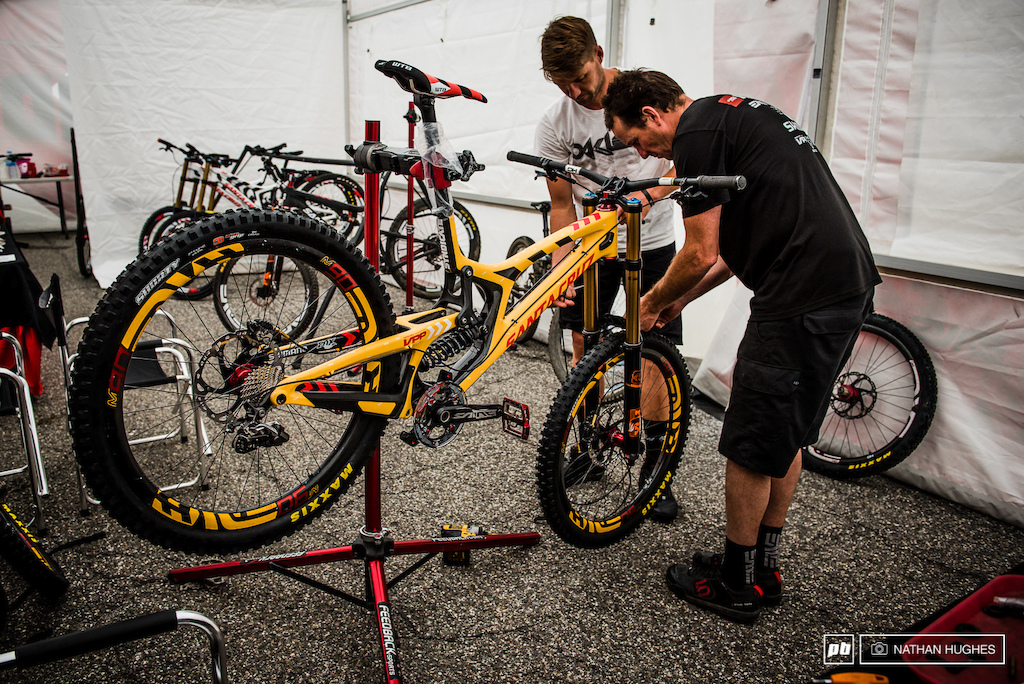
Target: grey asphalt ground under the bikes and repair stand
864,557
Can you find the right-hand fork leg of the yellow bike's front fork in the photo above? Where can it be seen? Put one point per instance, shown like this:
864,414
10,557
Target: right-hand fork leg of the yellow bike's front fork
632,361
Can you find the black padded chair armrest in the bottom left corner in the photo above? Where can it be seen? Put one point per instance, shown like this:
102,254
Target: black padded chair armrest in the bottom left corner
99,637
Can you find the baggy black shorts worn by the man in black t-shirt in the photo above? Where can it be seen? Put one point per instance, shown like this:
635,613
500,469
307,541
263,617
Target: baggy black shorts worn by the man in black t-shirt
784,379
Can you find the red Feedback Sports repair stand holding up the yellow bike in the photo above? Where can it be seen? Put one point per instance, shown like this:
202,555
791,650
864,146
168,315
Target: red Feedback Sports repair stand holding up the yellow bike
374,545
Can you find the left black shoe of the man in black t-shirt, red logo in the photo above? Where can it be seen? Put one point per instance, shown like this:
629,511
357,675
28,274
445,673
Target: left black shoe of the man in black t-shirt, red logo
702,585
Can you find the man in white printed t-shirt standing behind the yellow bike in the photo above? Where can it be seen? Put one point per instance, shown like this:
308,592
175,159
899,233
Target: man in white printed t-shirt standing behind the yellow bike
573,132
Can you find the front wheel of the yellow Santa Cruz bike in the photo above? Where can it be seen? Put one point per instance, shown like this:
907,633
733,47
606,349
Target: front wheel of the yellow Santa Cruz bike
591,493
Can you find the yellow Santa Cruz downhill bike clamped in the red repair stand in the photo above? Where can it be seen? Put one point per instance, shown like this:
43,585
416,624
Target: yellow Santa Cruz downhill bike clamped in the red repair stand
284,425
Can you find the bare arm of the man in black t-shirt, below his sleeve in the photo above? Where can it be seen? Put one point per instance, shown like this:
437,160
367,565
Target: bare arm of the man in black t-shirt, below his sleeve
695,271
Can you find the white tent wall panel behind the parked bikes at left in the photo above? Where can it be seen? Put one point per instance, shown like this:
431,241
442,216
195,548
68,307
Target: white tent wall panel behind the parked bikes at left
219,75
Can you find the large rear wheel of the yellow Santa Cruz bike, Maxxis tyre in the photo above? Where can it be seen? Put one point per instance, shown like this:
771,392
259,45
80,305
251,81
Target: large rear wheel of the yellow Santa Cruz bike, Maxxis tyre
172,418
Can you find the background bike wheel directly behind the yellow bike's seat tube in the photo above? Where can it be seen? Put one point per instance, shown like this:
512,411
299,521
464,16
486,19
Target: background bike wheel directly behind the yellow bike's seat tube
429,268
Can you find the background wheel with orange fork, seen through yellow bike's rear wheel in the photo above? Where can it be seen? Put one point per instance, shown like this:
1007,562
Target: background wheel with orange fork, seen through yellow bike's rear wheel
274,288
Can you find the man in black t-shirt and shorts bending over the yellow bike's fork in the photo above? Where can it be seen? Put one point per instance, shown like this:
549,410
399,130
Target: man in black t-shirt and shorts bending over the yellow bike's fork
793,239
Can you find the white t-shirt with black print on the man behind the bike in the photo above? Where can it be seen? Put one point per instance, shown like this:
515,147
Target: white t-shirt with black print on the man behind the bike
571,134
